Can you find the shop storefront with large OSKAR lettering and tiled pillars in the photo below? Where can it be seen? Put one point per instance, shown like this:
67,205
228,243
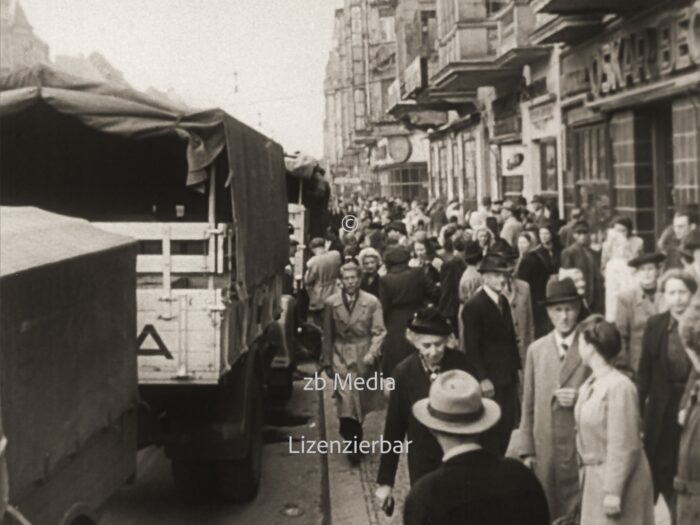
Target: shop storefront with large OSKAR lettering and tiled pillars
631,107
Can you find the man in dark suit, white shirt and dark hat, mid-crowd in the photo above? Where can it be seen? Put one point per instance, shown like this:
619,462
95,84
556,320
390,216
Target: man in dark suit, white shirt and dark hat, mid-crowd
491,347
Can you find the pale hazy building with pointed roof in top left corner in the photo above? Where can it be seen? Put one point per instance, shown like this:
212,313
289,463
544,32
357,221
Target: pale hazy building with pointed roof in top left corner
19,46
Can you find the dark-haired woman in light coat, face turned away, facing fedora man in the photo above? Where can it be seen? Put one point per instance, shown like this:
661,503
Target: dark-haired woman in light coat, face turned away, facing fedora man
616,479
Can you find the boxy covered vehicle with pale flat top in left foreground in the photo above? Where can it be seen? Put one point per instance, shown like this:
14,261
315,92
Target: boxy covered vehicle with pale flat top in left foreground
68,379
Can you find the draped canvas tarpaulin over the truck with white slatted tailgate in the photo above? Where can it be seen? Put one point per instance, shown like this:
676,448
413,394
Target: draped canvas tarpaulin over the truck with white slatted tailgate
256,170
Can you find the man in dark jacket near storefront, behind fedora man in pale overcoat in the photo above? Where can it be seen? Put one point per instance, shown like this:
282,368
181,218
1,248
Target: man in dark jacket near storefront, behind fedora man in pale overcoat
579,255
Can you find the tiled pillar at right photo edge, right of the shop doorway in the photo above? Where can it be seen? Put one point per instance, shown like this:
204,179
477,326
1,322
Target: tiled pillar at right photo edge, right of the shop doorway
686,146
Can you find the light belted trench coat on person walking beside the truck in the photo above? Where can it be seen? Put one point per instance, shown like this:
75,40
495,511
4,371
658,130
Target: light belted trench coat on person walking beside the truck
347,339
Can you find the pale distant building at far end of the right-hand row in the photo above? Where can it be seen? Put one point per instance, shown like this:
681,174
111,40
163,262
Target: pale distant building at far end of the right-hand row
364,146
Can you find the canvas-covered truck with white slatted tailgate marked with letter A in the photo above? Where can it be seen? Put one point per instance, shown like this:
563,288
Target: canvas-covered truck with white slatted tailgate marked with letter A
205,197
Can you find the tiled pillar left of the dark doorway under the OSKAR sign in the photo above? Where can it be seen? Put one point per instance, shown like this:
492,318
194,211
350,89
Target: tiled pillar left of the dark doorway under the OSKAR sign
632,163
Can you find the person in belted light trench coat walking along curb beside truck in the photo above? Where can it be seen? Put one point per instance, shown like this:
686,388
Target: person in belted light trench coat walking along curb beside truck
352,336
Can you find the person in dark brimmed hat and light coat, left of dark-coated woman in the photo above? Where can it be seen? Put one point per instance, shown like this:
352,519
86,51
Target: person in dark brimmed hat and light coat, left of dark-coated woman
636,305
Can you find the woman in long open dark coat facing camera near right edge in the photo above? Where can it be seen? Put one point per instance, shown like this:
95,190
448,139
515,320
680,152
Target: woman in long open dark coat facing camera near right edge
664,368
